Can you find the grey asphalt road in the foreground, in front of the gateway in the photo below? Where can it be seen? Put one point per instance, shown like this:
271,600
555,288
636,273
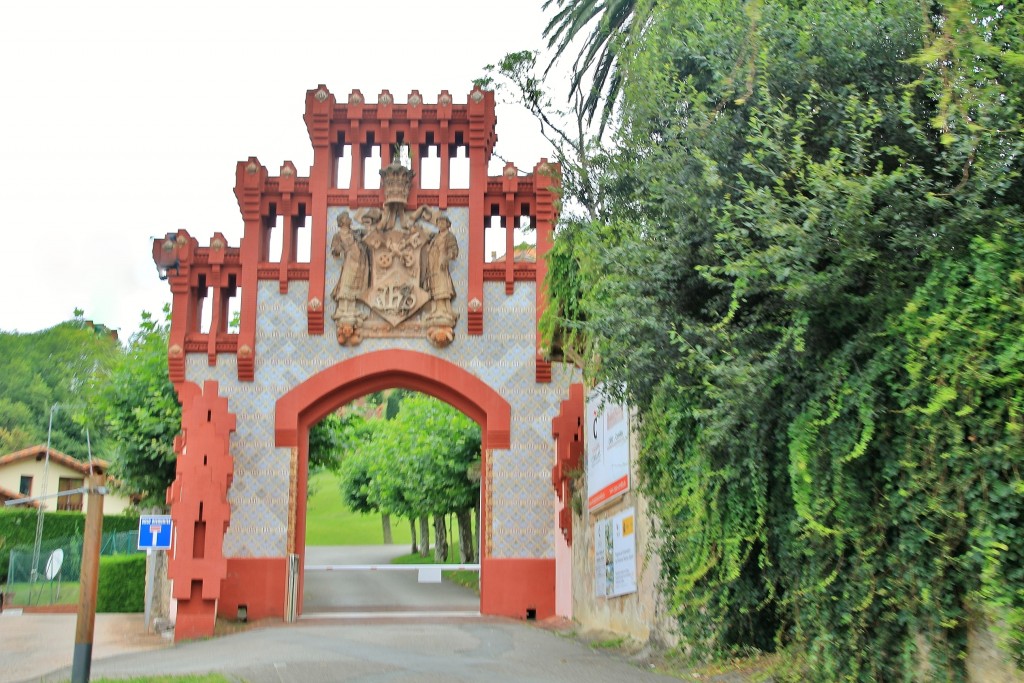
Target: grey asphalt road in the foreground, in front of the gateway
385,651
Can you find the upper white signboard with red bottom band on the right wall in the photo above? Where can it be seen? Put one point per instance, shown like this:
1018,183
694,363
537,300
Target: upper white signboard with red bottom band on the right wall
608,451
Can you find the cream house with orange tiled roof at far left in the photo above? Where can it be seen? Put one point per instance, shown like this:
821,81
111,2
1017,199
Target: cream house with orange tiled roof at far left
27,474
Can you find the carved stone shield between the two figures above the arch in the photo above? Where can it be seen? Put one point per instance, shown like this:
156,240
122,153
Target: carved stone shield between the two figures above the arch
397,259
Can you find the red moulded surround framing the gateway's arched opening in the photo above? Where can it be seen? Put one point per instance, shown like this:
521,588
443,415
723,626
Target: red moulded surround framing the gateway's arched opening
311,402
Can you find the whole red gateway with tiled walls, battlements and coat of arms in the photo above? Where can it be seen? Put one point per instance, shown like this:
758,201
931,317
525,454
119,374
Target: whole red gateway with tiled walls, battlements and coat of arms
397,291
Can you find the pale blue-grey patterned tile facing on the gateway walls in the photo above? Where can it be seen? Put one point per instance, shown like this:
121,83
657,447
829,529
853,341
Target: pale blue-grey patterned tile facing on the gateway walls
523,499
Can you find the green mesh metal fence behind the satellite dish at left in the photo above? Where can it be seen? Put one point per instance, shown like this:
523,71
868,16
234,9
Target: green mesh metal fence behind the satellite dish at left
57,572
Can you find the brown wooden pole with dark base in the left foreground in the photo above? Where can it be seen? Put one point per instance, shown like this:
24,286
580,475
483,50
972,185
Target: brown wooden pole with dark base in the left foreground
82,664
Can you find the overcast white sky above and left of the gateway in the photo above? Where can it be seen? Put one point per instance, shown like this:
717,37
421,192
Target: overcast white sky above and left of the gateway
122,120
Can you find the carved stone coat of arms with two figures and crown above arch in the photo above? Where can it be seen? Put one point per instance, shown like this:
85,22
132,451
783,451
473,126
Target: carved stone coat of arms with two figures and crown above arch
394,267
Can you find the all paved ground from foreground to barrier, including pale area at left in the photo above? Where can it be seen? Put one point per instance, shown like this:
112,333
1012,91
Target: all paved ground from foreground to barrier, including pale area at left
336,641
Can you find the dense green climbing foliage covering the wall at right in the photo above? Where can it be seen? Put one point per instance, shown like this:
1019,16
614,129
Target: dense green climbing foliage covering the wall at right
801,264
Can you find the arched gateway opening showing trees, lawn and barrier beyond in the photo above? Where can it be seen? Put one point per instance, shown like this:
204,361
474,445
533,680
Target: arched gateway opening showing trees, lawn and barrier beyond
393,513
